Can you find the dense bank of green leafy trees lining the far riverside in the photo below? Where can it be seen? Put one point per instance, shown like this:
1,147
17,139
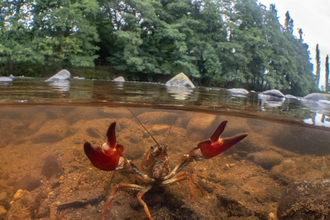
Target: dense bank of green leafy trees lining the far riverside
229,43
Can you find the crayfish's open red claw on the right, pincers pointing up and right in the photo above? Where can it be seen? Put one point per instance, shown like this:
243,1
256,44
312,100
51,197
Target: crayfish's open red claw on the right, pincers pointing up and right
217,145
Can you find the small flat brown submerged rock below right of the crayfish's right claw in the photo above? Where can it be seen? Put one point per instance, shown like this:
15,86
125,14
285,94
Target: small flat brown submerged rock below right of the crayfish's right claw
266,159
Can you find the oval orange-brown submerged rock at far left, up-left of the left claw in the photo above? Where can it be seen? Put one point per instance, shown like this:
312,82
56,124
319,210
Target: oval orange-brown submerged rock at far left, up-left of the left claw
51,131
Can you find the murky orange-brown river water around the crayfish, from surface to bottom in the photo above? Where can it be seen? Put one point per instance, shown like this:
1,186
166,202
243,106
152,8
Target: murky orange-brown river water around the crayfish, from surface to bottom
43,128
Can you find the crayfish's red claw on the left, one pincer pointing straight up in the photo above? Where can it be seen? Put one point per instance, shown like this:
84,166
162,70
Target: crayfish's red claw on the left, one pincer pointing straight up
107,156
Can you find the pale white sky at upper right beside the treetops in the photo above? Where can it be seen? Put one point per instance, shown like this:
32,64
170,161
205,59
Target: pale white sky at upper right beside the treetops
314,19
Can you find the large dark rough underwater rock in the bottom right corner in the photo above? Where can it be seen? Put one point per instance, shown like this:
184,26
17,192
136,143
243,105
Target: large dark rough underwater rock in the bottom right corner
306,199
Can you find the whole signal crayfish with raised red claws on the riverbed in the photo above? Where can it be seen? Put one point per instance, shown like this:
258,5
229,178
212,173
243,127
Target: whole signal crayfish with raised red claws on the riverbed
154,168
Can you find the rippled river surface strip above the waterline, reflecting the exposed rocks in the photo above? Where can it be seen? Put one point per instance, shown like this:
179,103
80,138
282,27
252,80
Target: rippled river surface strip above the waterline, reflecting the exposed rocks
237,102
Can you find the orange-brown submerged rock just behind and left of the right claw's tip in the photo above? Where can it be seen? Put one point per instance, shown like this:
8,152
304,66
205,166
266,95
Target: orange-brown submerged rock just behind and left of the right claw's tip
201,126
